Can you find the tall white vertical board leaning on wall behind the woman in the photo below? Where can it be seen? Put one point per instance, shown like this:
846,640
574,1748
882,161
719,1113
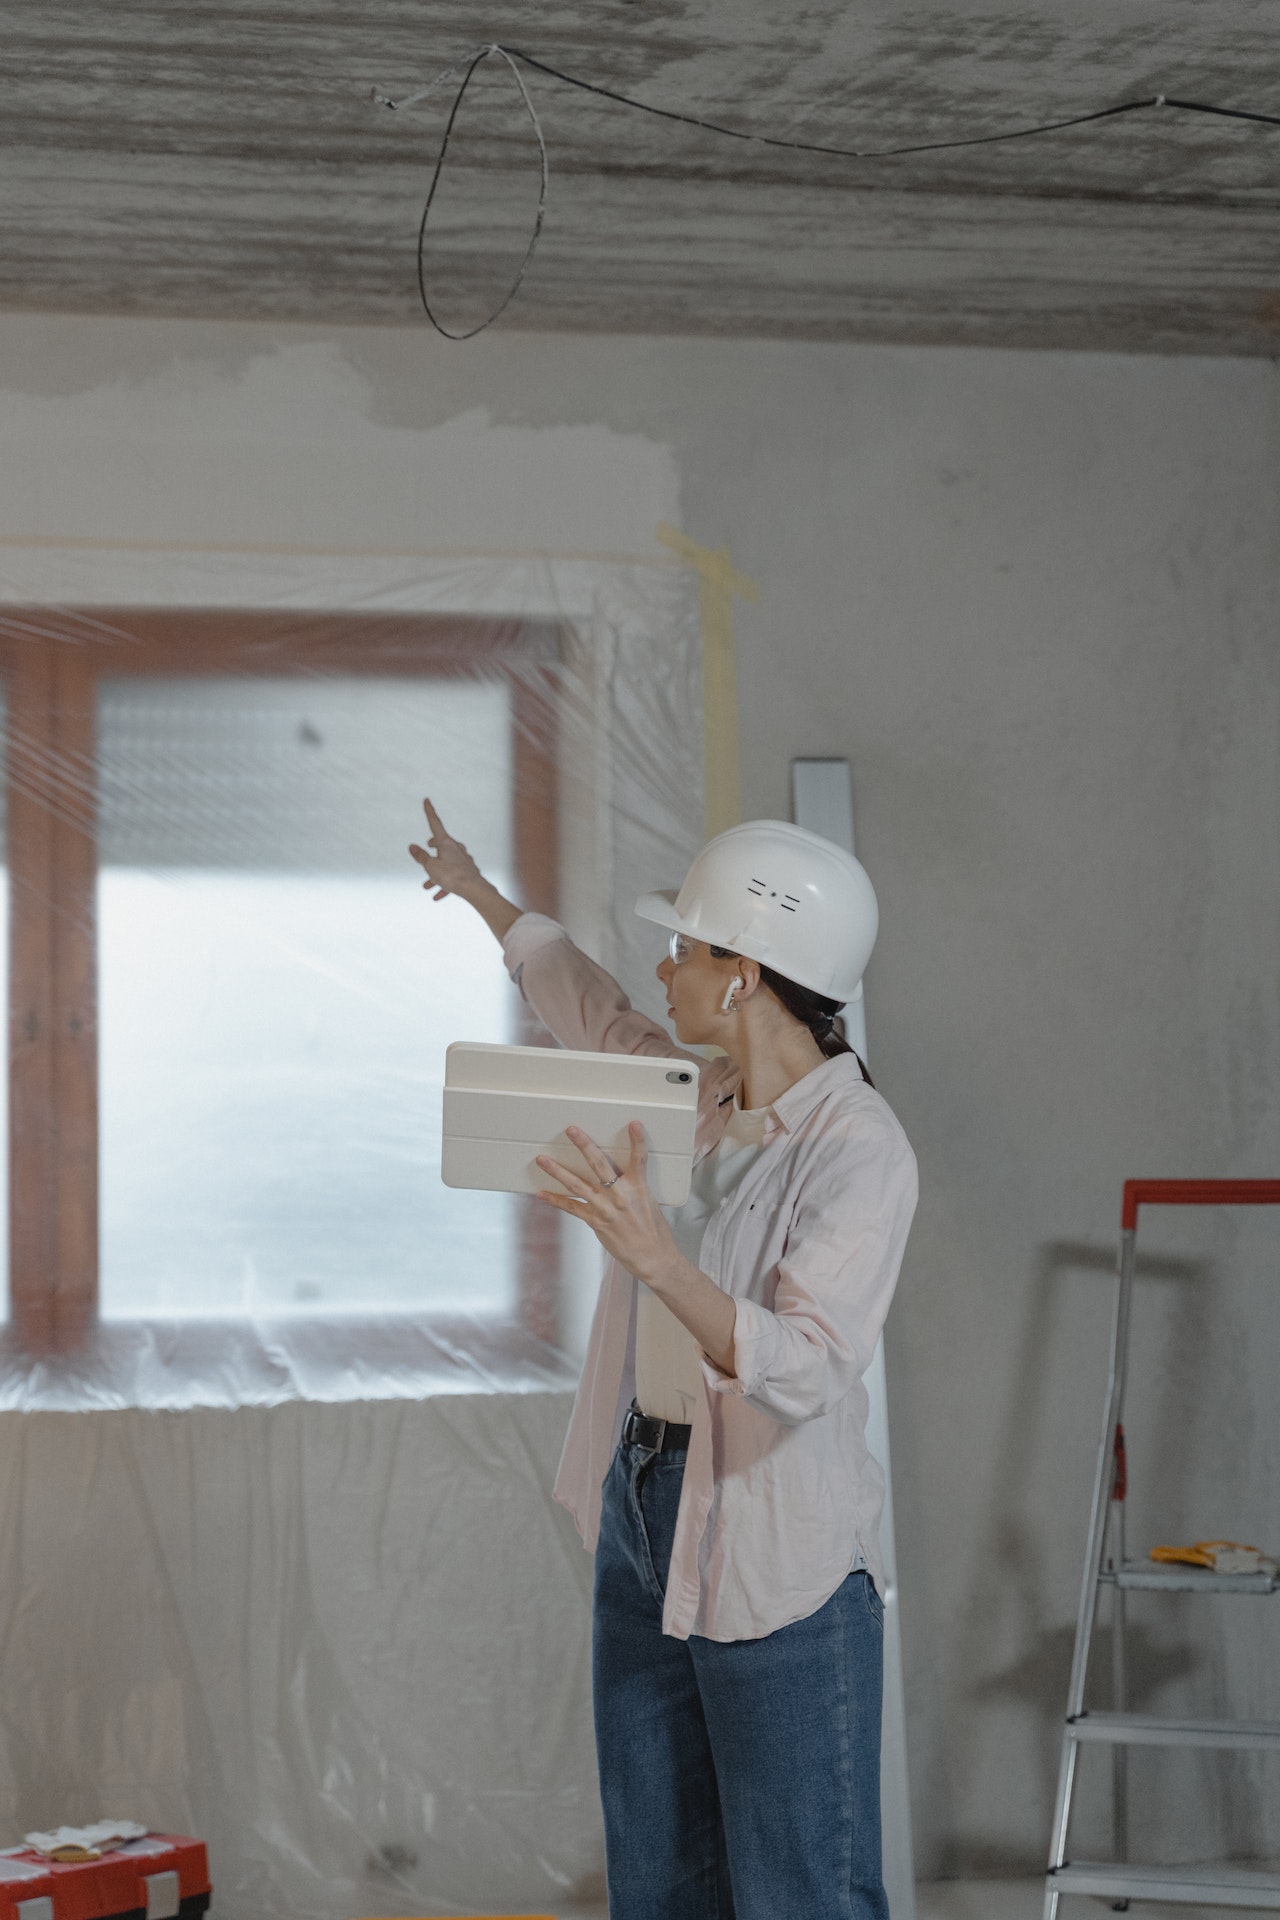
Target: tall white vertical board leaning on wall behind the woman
822,800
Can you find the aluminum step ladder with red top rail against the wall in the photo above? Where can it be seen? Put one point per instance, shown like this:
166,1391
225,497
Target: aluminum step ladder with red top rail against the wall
1108,1566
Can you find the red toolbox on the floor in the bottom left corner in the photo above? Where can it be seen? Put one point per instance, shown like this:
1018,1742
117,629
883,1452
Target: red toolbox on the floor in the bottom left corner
158,1879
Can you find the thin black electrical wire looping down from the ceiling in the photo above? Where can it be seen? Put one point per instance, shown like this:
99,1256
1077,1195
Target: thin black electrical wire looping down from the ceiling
511,55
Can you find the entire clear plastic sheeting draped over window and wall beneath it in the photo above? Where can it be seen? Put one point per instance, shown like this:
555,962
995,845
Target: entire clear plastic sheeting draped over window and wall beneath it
281,1414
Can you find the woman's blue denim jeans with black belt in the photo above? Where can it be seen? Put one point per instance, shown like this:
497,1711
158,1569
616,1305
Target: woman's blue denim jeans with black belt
742,1781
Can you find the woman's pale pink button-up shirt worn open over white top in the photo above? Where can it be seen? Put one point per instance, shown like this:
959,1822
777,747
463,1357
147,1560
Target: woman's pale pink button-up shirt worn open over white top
780,1493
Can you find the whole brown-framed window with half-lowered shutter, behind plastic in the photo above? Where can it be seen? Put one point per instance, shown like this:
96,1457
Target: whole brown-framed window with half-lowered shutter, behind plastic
229,999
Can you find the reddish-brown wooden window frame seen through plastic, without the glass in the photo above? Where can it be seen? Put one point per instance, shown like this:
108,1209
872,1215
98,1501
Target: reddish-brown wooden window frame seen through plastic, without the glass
53,663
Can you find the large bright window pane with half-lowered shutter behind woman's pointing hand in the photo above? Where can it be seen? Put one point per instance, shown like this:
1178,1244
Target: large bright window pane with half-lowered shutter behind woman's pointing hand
273,1040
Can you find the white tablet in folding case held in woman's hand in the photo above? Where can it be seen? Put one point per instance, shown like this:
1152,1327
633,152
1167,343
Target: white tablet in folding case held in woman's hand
508,1105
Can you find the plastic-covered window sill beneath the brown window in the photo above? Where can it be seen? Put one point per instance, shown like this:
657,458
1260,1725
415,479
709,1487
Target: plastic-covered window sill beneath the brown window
181,1364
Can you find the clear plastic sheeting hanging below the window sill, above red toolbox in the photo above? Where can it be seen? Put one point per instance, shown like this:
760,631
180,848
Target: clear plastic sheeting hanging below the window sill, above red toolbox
344,1646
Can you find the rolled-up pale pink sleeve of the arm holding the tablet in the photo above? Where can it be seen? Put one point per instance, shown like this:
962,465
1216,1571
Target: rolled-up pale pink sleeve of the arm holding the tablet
836,1280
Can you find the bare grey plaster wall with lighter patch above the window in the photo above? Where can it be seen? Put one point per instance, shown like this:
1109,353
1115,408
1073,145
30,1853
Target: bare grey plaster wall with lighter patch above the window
1033,600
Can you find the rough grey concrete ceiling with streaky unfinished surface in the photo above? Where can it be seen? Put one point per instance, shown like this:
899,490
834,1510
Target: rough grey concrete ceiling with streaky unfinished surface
227,160
